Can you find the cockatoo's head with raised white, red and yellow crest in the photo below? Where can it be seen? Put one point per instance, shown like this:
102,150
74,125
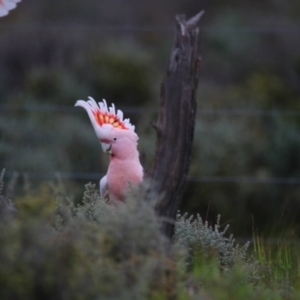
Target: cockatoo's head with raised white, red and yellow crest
116,134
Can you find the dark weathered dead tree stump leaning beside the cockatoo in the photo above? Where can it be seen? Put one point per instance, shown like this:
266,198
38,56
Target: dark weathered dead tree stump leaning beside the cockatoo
176,121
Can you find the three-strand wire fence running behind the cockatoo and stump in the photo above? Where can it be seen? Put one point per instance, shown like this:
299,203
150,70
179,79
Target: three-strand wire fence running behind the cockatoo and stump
50,109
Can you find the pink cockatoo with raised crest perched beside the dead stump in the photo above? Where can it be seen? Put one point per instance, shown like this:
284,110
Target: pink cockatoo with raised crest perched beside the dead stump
118,138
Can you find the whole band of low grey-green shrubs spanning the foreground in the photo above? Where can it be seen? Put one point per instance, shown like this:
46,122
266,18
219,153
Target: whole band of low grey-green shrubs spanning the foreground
54,249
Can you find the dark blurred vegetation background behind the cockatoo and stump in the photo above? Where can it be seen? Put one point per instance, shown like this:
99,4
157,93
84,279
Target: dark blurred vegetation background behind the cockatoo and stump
245,164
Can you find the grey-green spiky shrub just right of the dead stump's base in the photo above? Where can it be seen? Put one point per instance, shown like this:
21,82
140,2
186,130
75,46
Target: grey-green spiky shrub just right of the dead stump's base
208,240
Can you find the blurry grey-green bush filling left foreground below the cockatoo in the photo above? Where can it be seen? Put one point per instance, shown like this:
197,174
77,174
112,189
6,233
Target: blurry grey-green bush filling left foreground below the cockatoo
91,251
